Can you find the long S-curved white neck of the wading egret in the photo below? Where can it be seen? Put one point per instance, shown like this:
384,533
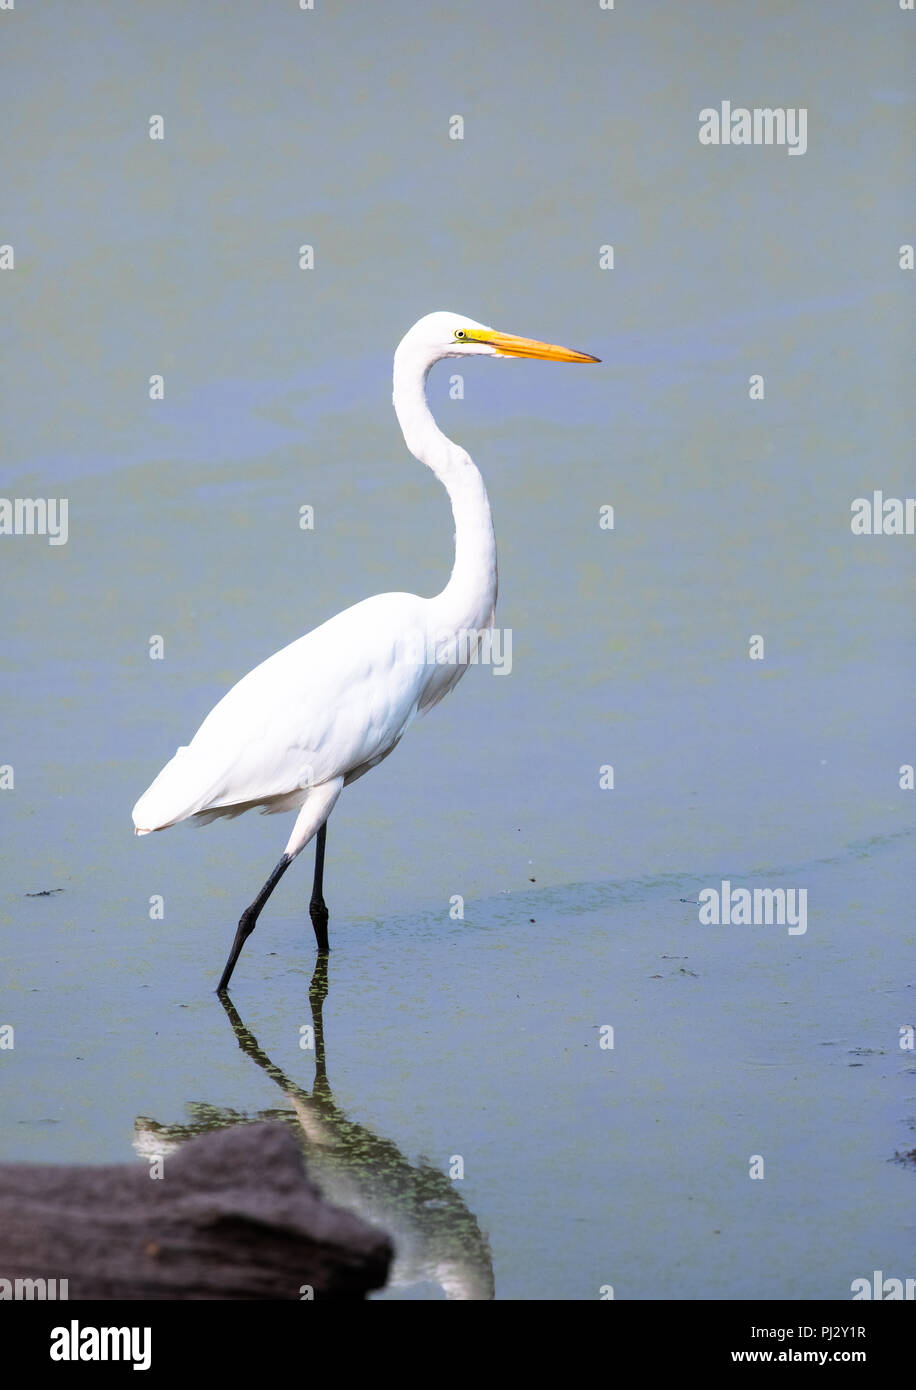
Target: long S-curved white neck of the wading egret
469,598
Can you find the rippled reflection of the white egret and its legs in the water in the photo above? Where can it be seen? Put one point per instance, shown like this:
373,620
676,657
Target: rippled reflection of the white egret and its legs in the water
437,1239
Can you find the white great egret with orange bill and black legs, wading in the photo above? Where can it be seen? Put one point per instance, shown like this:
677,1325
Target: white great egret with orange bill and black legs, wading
319,714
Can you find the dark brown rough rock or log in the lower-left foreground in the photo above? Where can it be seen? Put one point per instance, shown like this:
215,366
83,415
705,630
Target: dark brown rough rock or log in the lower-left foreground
234,1217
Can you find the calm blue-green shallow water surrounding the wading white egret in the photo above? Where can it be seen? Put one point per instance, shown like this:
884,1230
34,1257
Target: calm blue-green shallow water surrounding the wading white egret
479,1038
